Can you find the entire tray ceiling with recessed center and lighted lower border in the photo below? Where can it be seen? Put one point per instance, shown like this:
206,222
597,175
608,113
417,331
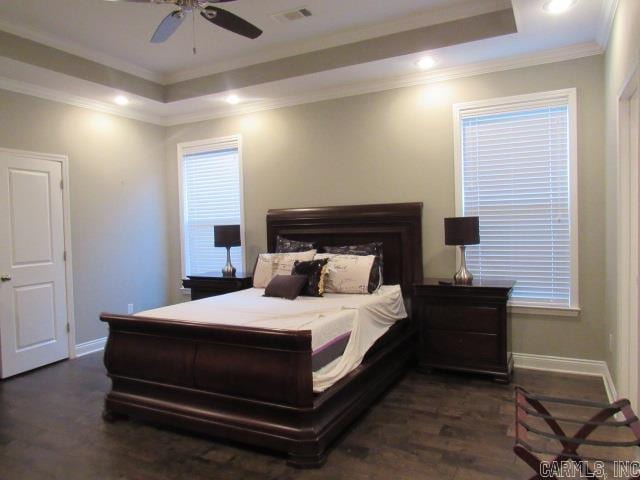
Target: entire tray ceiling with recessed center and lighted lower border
88,51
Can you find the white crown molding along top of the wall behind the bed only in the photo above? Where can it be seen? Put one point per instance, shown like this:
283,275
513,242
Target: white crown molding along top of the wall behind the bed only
480,68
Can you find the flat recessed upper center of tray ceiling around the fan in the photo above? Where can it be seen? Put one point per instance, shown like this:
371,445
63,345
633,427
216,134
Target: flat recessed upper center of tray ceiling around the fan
121,30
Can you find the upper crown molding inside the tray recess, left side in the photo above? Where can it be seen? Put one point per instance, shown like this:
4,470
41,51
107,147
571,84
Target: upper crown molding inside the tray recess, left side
76,49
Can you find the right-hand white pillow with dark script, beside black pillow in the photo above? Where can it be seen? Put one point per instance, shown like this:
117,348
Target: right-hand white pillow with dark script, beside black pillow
347,273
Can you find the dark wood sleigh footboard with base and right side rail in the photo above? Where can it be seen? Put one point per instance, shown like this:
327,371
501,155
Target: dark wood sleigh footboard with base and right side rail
247,385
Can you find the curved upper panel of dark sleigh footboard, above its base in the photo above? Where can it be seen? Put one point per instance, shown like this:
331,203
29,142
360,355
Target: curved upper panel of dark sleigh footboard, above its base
250,363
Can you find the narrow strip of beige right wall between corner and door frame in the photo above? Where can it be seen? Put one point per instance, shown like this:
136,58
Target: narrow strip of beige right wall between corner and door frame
623,54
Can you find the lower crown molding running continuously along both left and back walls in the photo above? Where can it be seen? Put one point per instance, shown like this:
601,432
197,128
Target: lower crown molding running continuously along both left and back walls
480,68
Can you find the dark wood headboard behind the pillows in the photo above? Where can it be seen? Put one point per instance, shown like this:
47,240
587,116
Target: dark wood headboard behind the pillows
397,225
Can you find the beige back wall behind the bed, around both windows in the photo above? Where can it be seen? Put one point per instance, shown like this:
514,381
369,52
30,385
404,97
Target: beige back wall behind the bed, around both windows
397,146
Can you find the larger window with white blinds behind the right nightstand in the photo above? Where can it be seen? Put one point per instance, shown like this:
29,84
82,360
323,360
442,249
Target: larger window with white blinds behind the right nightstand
516,170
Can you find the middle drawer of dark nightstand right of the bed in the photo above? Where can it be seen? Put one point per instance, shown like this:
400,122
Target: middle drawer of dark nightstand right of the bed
463,318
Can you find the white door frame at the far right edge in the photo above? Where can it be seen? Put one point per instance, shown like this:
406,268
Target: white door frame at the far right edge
628,198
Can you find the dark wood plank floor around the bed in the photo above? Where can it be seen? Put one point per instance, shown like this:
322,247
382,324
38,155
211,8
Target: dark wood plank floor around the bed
427,427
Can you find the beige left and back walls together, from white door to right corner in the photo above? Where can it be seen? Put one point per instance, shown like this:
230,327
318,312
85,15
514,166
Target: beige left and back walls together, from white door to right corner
392,146
